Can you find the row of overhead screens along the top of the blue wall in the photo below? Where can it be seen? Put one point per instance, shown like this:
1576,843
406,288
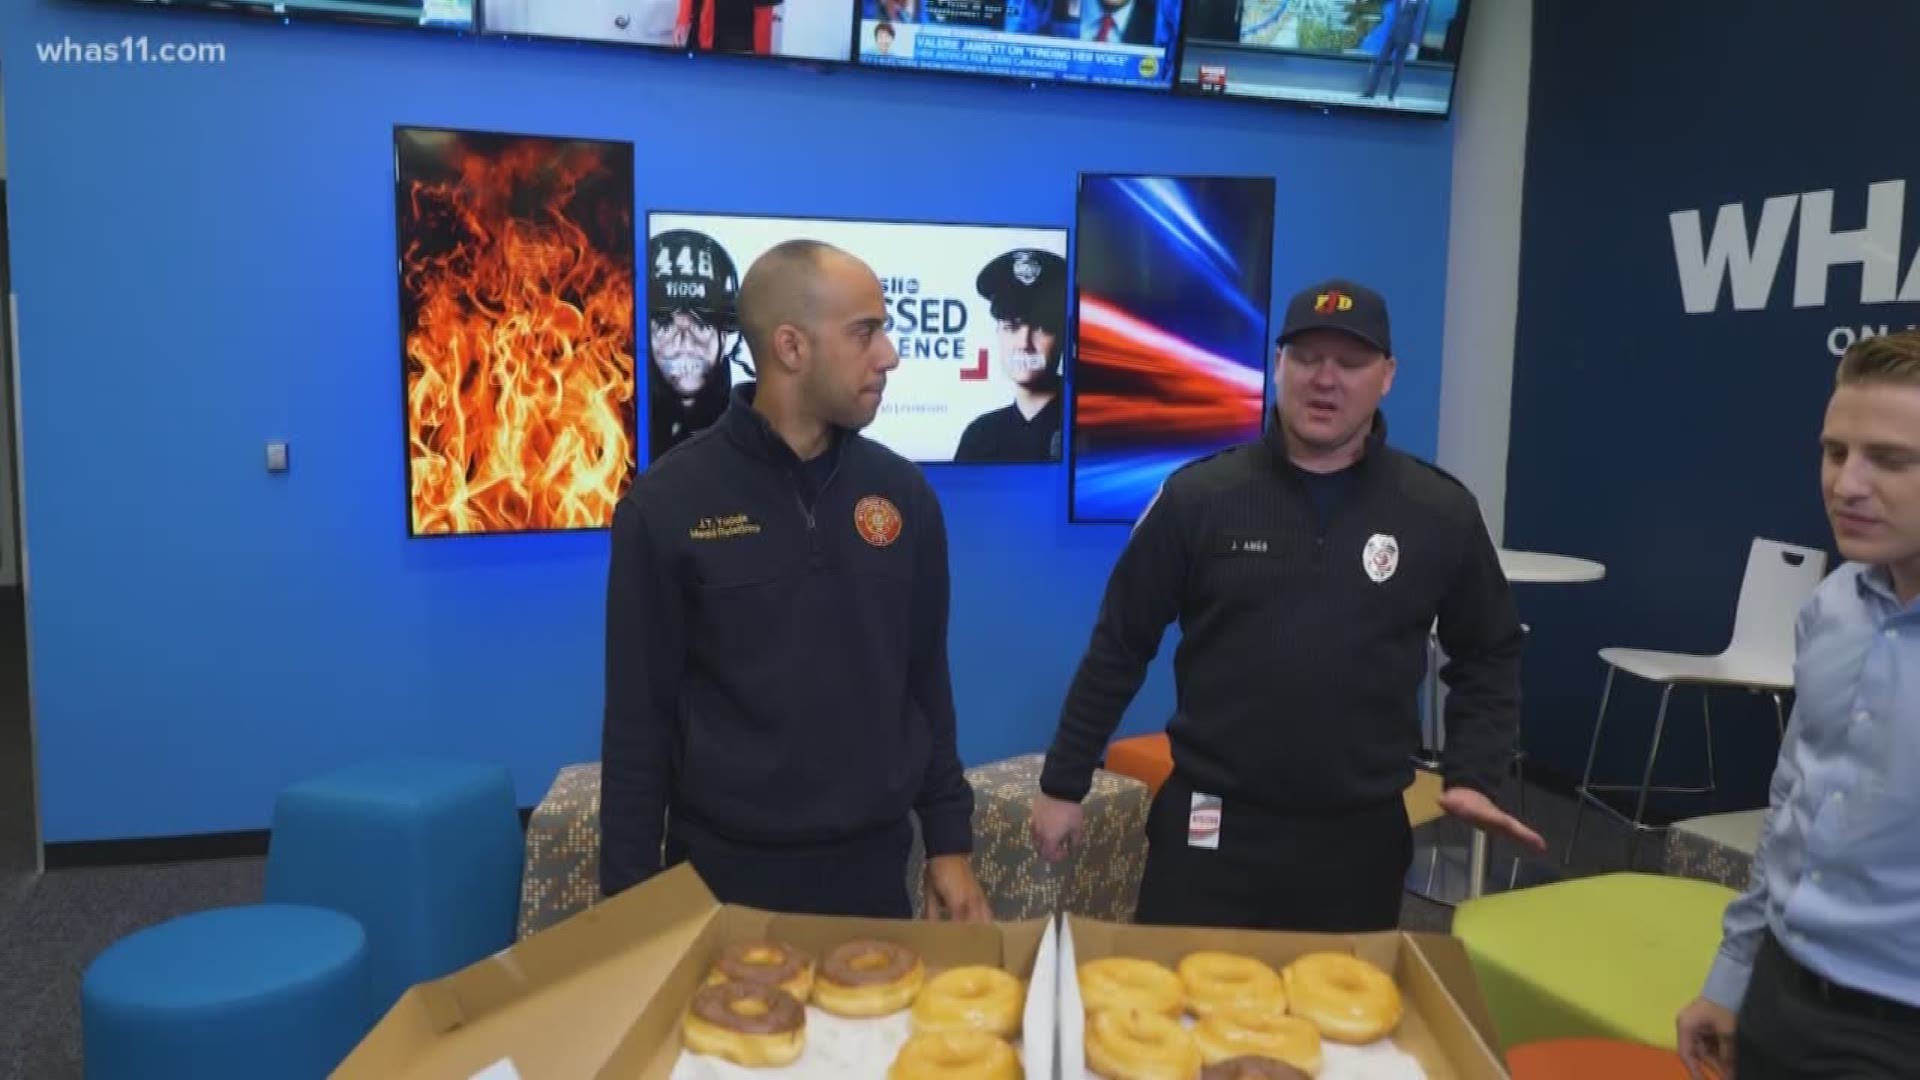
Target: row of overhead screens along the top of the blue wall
1370,55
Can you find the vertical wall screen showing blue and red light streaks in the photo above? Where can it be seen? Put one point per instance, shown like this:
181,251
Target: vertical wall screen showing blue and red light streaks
1172,289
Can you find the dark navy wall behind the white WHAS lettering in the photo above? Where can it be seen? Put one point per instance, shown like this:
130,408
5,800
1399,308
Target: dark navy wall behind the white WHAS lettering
1660,441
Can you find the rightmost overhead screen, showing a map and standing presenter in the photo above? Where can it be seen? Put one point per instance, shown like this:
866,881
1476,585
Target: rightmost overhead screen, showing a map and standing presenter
1370,55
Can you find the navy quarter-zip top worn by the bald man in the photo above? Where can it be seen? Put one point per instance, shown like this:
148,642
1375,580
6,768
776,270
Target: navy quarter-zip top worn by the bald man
777,650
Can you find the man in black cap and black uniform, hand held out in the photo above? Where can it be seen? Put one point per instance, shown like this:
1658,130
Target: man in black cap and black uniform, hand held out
1307,572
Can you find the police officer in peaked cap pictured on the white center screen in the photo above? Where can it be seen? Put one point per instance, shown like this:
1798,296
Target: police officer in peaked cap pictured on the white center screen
1028,295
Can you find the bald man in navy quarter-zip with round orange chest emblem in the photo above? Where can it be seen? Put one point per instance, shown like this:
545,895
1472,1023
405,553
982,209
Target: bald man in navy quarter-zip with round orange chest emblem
779,702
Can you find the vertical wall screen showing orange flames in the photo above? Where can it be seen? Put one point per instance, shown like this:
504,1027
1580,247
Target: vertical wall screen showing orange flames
517,314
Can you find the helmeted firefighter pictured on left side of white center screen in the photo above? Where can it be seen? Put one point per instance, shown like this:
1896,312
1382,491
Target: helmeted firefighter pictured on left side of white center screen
692,335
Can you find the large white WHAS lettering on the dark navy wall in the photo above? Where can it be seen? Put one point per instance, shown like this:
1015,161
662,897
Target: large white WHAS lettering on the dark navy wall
1746,262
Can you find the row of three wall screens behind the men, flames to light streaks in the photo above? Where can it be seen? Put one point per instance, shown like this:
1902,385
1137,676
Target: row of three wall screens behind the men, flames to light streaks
525,330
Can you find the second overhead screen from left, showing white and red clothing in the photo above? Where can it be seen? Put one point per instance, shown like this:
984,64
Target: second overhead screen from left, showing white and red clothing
804,30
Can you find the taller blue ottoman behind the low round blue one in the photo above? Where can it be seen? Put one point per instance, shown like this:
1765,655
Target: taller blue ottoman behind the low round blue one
425,852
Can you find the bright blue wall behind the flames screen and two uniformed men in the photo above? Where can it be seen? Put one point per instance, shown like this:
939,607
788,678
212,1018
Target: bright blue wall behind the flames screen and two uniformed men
204,260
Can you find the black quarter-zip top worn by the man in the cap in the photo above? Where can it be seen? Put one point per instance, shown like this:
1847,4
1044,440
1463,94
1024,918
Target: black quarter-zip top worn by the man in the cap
1305,616
